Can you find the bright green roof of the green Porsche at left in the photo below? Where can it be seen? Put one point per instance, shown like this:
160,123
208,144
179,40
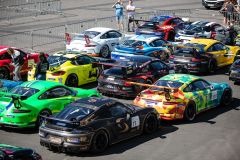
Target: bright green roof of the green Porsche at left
40,85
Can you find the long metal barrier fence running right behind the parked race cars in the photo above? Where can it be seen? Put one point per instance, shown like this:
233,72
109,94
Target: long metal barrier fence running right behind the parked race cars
41,37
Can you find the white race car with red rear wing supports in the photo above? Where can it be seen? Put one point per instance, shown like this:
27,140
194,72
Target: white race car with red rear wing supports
97,41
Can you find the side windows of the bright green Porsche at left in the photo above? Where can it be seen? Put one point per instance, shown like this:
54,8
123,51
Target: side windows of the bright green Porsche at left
56,93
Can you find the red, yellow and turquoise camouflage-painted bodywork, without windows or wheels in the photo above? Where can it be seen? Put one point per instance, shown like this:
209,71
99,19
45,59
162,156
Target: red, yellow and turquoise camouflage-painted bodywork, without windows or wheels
174,107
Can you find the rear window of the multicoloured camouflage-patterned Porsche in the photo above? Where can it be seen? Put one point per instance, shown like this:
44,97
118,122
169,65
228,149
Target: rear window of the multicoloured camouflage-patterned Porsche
167,83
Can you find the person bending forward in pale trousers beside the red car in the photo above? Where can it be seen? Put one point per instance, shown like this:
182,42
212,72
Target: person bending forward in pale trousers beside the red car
17,63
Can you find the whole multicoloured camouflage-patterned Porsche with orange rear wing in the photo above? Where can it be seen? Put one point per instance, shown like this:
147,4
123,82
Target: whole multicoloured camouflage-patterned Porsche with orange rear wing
178,96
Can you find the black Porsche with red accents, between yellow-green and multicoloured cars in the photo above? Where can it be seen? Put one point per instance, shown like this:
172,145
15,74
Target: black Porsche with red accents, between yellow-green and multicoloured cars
134,69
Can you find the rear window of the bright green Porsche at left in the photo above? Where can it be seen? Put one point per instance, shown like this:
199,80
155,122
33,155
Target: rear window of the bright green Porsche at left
24,91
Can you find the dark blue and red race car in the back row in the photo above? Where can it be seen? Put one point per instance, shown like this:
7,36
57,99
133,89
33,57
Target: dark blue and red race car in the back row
162,25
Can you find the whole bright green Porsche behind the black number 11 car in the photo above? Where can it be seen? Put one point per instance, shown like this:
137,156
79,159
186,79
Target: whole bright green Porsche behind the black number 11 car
22,105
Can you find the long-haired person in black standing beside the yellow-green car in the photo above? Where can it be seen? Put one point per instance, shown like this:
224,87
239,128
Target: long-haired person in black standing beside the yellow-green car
42,67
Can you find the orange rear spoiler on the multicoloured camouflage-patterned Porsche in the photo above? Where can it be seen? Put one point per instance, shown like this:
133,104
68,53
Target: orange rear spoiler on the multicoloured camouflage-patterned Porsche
166,89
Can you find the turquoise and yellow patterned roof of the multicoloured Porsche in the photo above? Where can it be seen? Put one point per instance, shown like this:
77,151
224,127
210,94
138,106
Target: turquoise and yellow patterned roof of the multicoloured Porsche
184,78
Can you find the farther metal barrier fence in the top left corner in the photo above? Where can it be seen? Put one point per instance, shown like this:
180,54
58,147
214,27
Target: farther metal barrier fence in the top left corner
29,9
